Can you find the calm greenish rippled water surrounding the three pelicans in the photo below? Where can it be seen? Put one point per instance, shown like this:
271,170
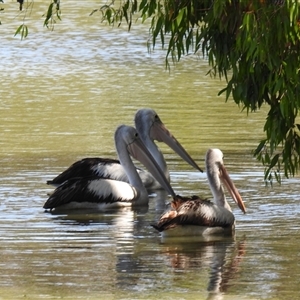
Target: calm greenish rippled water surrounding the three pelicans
63,94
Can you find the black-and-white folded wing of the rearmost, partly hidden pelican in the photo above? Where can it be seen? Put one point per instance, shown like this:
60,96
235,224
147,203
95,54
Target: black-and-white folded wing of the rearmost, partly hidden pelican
92,166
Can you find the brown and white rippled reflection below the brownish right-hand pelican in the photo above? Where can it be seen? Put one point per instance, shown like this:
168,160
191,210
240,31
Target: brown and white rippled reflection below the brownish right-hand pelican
223,257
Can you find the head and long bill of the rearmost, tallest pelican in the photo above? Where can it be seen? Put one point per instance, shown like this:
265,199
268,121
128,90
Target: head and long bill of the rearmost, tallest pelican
148,124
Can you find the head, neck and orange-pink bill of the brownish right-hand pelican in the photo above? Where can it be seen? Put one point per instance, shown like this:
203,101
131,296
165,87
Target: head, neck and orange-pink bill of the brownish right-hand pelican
216,171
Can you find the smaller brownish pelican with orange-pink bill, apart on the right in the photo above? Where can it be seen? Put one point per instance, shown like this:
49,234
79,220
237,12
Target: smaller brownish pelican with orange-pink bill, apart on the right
195,216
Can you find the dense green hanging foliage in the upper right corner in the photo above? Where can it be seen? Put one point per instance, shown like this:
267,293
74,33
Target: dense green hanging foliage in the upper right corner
254,45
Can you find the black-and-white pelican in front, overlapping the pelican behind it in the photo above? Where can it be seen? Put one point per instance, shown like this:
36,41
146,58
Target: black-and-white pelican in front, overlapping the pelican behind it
94,192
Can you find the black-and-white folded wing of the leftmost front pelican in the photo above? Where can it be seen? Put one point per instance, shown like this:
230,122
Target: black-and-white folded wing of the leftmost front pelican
92,190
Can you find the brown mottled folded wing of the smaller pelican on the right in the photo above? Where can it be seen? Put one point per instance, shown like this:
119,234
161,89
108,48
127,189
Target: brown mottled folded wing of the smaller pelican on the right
194,212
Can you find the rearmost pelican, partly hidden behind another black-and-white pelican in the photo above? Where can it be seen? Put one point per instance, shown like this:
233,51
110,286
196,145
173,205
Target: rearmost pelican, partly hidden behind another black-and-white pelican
150,128
